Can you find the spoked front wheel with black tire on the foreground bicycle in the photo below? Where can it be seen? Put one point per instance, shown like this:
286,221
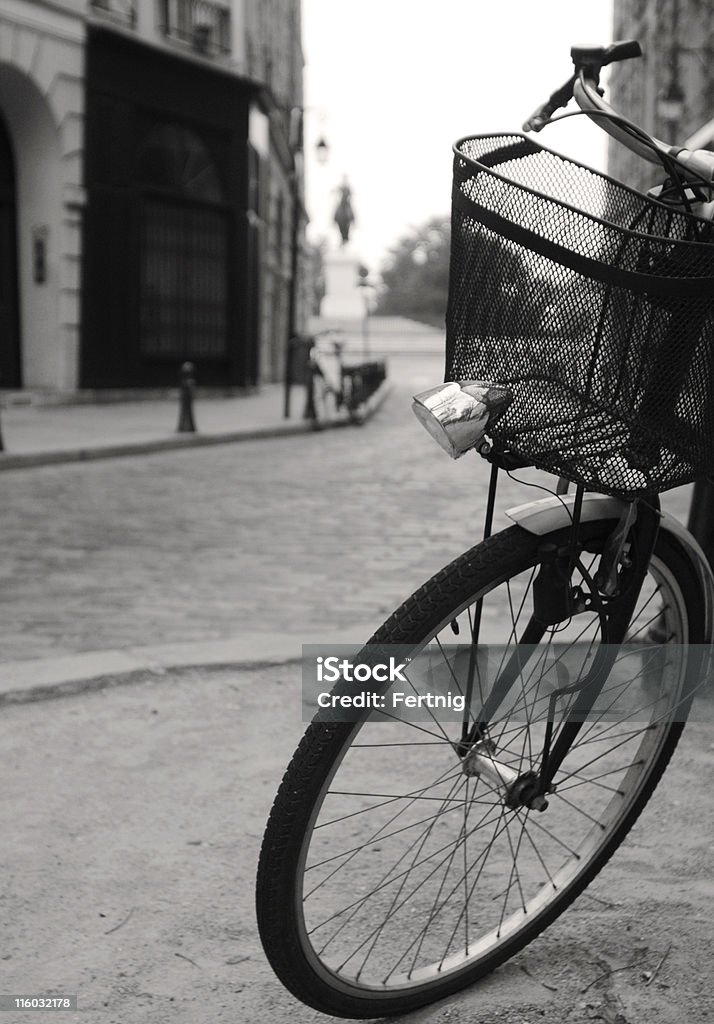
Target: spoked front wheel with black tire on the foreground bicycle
391,877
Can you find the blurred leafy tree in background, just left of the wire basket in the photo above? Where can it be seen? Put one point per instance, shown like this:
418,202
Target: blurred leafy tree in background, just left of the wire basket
415,277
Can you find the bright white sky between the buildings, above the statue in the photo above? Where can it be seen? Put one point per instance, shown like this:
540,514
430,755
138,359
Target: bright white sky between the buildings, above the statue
392,84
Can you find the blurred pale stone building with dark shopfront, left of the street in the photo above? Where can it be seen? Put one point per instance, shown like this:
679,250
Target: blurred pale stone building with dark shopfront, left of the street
151,191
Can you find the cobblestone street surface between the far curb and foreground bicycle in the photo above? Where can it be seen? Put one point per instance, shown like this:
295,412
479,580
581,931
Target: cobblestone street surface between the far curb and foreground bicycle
233,553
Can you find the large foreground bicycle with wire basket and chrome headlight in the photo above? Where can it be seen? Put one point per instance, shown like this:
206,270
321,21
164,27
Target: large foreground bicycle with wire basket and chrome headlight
407,858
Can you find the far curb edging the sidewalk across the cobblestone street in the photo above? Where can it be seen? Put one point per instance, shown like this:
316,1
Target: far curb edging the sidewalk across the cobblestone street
31,460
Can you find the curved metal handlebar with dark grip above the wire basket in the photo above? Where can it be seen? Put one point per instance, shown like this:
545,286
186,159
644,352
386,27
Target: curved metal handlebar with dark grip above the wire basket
697,165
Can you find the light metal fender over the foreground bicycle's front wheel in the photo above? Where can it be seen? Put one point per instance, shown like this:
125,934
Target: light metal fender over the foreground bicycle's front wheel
550,515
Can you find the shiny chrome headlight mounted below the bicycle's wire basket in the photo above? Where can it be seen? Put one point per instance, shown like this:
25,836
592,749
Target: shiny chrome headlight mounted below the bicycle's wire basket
457,416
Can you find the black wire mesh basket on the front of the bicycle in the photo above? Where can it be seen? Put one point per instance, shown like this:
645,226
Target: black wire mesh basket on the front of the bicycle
595,305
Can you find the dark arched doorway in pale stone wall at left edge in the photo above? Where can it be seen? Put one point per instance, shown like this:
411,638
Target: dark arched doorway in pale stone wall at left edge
11,375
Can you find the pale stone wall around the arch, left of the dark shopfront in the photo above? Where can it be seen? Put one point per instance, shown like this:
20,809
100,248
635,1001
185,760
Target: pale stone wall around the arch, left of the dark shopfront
43,102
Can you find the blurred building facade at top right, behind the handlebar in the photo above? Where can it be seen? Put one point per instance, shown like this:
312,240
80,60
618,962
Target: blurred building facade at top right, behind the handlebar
670,91
